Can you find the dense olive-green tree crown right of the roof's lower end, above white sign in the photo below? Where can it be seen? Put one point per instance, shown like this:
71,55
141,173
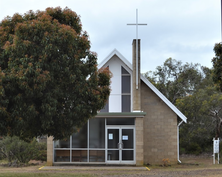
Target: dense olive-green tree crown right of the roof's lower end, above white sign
203,110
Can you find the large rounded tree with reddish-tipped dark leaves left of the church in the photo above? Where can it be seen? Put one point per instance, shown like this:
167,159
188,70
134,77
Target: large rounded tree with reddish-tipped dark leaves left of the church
49,82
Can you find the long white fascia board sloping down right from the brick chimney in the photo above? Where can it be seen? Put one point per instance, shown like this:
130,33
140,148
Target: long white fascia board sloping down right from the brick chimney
162,97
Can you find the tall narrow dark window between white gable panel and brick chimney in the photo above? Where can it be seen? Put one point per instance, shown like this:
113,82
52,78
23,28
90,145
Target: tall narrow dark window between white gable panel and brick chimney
126,90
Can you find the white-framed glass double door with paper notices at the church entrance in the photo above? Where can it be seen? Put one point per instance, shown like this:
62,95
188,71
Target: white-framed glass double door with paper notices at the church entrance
120,145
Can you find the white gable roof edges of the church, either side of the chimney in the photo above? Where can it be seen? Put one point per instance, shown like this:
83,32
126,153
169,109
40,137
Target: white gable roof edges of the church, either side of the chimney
146,81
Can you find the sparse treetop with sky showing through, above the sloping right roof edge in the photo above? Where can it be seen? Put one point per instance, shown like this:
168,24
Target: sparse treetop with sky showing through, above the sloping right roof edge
176,80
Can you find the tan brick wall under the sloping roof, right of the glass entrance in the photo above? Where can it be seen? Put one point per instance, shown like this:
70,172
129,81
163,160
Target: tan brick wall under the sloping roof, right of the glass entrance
160,128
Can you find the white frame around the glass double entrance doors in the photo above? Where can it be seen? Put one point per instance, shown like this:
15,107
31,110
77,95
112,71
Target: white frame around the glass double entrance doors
120,127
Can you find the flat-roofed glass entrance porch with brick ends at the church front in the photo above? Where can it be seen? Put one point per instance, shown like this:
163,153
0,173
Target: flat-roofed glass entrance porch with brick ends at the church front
104,140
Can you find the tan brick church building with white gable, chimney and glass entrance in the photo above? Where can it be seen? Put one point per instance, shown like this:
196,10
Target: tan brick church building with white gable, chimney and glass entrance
138,125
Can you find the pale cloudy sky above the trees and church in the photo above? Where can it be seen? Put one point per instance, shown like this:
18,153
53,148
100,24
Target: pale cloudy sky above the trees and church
185,30
